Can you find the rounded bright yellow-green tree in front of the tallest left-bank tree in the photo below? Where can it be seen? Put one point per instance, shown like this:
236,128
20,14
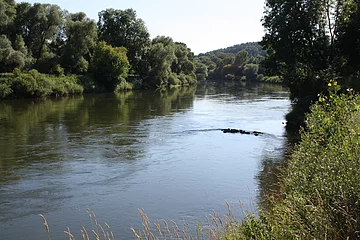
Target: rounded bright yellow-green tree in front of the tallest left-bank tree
109,65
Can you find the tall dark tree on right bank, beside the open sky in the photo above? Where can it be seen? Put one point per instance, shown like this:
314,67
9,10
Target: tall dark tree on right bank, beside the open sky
297,43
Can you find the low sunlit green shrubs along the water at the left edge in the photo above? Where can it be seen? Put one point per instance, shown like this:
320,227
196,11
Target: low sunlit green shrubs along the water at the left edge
35,84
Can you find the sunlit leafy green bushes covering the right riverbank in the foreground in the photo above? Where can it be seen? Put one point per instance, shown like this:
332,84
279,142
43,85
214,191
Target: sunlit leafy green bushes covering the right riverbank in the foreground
320,187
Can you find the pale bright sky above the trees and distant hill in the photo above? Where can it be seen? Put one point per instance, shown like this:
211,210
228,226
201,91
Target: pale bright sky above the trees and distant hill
204,25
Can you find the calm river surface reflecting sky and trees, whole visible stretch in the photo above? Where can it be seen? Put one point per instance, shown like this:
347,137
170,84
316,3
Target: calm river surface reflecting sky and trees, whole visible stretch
159,151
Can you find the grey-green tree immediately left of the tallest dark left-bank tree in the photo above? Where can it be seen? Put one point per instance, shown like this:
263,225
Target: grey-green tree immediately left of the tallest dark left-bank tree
80,40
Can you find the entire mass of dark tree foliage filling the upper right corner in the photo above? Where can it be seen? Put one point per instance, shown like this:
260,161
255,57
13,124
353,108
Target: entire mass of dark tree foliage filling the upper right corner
310,42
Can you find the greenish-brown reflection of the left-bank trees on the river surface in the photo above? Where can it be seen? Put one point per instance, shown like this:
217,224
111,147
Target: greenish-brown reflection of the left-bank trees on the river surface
47,130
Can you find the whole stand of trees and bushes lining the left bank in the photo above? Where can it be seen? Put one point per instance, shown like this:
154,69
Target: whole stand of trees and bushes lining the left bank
45,50
